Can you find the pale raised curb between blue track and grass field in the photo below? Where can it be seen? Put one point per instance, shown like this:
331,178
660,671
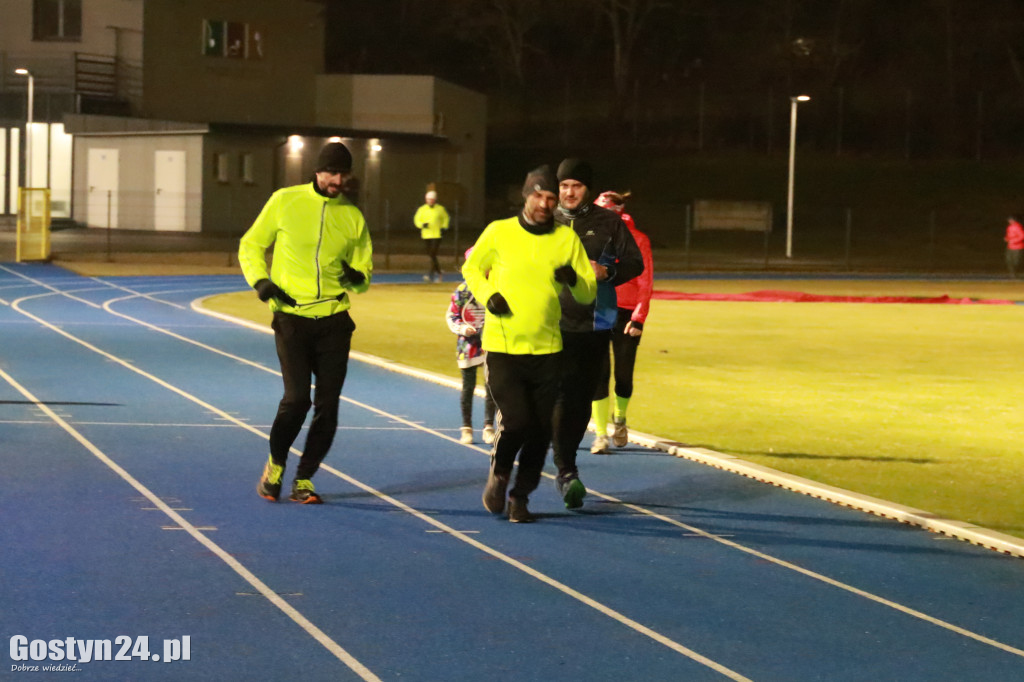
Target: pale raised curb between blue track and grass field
975,535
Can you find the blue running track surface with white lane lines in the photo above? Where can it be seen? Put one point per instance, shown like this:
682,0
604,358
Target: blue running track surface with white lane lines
680,572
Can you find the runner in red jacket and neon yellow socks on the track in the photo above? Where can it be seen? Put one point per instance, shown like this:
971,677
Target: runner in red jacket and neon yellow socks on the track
634,304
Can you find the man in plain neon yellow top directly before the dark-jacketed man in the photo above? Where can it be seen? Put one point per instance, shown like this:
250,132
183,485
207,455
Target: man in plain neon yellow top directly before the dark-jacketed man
519,267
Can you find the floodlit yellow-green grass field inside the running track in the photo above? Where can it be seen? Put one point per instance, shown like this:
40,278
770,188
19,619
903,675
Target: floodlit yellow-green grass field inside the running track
921,405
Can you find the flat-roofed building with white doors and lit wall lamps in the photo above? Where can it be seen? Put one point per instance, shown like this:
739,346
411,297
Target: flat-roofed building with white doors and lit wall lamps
229,102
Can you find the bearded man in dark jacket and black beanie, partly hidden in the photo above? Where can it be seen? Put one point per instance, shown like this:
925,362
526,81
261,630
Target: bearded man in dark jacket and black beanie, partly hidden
587,329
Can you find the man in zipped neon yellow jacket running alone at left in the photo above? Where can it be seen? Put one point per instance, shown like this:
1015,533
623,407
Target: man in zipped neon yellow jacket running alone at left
322,251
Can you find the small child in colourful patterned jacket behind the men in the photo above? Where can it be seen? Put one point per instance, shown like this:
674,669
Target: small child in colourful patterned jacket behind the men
465,319
